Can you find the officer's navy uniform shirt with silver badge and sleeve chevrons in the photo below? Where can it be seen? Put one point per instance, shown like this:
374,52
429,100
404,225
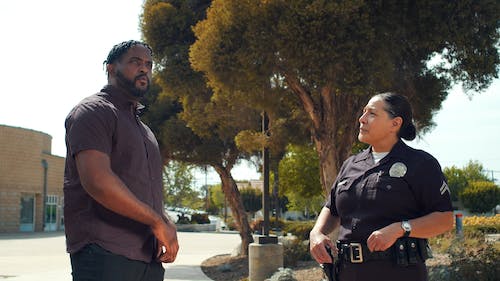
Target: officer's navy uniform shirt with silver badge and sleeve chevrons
406,184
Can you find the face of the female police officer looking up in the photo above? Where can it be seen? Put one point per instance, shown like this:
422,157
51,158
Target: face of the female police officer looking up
377,128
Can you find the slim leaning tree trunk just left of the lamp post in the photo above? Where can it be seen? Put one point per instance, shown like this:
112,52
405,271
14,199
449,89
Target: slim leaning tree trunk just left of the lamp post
232,194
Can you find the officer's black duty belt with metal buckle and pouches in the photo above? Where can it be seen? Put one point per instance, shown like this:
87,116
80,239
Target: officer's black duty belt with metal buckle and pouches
405,251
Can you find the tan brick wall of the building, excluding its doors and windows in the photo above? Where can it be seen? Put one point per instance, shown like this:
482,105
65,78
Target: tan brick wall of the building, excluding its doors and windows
22,173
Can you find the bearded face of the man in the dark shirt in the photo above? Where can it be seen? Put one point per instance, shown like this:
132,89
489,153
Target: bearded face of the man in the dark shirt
133,71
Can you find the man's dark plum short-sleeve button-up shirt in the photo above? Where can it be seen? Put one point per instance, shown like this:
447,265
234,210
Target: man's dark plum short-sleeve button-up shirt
108,122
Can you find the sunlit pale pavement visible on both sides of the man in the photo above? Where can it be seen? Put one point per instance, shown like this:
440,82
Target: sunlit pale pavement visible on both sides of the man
42,256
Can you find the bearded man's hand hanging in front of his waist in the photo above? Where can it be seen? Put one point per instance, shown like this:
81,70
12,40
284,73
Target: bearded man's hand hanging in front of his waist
168,246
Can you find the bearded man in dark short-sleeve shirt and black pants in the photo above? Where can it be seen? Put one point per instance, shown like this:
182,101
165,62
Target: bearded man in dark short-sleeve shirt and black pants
114,221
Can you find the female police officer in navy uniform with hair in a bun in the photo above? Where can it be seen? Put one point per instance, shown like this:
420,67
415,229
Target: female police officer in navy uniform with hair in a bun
386,200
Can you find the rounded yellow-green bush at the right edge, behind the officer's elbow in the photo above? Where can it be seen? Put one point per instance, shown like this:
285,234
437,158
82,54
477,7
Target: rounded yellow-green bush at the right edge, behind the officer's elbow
480,196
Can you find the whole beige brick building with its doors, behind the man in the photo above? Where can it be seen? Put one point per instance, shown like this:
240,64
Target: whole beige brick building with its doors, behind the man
31,182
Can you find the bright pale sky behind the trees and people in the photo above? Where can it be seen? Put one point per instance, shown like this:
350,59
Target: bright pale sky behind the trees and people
52,53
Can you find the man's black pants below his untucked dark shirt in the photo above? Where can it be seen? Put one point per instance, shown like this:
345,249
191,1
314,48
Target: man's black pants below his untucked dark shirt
93,263
